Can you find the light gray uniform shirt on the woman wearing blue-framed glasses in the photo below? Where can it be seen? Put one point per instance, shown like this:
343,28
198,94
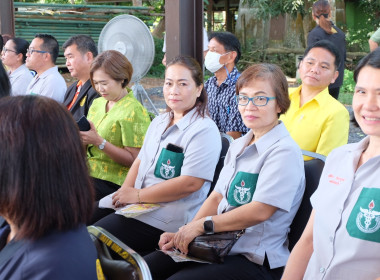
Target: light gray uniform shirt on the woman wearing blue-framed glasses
281,183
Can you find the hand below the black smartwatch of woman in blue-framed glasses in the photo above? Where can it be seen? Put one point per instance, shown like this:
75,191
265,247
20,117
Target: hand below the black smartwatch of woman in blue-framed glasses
186,234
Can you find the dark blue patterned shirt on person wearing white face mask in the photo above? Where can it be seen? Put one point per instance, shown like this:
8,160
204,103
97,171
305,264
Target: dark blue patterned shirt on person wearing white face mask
222,105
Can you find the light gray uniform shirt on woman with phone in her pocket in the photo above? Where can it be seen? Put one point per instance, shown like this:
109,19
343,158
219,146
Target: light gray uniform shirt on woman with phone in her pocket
201,142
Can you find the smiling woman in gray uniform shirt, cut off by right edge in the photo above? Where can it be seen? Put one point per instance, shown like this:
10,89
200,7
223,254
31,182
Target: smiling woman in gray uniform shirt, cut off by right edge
342,237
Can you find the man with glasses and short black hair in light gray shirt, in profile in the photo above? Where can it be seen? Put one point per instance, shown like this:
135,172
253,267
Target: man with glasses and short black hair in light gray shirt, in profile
41,57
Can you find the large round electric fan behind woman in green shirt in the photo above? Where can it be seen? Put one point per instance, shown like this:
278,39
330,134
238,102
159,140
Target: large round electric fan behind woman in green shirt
130,36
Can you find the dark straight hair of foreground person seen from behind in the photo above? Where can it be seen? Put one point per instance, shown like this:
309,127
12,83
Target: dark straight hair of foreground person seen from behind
44,179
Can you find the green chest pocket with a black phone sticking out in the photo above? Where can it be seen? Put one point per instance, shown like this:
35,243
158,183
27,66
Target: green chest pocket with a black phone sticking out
169,164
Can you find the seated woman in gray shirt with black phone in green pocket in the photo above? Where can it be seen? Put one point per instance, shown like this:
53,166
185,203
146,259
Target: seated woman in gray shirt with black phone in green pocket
179,181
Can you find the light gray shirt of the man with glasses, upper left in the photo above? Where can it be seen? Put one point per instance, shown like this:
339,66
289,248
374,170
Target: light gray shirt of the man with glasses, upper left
50,84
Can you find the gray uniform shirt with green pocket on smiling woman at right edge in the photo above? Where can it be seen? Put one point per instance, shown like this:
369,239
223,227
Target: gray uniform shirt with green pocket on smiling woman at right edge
345,247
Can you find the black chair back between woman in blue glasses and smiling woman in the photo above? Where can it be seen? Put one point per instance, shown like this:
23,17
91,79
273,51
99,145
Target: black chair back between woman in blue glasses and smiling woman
313,171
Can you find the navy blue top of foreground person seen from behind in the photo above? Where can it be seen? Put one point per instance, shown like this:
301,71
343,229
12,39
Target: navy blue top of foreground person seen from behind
58,255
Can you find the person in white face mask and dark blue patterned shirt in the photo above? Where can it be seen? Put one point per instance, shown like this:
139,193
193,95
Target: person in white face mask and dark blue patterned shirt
221,58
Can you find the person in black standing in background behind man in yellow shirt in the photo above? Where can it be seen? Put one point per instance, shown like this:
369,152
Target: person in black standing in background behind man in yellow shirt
326,30
